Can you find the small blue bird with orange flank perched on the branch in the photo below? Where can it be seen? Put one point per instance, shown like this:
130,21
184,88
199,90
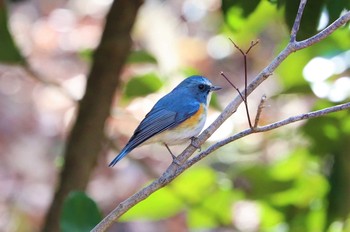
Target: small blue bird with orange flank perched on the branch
176,118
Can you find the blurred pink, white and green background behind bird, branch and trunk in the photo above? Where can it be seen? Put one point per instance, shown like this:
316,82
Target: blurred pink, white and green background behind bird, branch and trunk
296,178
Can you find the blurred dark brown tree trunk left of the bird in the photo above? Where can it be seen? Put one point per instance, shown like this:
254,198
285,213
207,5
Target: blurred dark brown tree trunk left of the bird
85,140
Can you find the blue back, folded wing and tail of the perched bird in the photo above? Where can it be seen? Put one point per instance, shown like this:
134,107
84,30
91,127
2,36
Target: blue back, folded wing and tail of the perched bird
163,116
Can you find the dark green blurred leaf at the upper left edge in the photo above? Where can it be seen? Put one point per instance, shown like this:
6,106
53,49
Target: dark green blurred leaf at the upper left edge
9,53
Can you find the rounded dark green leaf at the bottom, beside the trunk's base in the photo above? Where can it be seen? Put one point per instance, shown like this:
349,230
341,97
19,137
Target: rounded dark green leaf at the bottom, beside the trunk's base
79,213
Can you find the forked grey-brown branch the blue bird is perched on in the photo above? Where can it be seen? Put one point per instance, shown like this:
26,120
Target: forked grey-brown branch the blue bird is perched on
174,170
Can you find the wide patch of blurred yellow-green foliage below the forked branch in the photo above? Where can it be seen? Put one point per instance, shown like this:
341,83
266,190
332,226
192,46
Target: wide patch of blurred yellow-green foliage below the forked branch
290,190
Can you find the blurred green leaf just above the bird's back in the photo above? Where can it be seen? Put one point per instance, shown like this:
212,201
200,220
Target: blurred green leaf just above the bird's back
143,85
